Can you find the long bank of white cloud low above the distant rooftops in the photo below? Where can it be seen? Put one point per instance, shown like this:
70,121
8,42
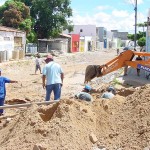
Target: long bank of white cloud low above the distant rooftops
117,20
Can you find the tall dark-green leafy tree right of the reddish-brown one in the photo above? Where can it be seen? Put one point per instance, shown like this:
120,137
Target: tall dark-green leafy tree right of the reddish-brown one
51,17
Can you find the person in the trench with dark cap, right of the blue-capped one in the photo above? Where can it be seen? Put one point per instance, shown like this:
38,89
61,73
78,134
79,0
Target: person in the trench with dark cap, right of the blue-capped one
110,93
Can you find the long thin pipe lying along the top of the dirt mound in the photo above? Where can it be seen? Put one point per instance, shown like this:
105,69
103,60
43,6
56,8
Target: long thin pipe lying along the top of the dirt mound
28,104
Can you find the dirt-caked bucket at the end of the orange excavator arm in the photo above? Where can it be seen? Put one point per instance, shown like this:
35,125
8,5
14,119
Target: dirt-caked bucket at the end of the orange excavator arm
91,72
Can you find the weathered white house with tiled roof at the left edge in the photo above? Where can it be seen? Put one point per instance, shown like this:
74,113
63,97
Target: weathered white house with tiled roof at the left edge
12,43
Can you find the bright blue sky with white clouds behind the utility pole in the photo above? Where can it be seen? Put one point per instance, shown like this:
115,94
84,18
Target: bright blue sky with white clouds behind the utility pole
111,14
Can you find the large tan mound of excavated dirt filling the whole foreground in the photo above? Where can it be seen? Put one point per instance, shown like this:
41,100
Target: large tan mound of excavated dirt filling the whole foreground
123,122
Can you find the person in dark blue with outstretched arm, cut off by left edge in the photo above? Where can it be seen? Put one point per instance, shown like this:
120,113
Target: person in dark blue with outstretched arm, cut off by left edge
3,80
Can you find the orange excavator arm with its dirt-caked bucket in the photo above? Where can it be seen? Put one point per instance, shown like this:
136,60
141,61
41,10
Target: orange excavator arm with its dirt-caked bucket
124,59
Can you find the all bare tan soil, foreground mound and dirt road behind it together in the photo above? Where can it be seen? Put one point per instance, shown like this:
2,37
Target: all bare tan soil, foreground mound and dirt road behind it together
122,123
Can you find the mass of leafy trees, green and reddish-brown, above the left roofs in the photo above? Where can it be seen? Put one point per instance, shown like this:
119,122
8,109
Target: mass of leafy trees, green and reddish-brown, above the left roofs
39,18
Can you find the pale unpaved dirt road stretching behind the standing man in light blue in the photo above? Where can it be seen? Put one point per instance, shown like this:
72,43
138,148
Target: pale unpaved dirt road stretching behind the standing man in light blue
30,85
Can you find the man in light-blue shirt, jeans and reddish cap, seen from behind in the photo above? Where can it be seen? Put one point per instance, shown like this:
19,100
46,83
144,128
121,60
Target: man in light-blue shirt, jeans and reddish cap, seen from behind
53,76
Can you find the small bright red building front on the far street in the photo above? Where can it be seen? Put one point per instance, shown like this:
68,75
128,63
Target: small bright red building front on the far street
75,42
